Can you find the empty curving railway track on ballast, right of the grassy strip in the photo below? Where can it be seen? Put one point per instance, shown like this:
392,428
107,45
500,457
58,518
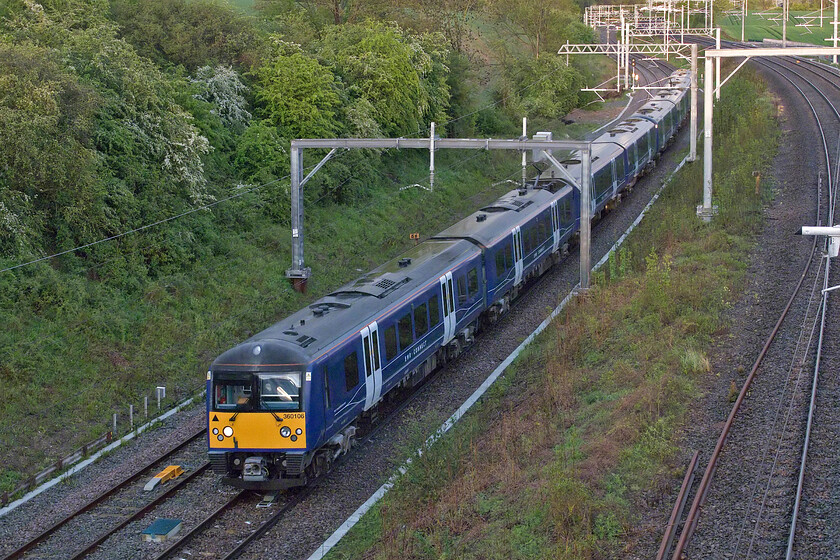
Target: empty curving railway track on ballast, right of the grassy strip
763,524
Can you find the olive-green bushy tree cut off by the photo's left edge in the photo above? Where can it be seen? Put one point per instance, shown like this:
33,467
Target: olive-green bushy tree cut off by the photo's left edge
47,169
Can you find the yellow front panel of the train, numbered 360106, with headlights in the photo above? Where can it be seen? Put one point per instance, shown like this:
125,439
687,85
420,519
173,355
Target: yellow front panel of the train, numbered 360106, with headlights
257,431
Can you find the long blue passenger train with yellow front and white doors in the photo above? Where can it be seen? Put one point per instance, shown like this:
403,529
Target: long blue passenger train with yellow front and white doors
283,405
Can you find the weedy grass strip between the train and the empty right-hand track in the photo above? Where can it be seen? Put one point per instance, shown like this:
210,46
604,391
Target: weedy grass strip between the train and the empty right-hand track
557,459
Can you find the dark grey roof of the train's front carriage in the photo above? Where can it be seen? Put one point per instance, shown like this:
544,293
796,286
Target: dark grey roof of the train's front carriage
306,334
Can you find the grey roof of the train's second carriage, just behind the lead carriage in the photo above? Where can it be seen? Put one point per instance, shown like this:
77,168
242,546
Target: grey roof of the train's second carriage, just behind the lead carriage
497,219
